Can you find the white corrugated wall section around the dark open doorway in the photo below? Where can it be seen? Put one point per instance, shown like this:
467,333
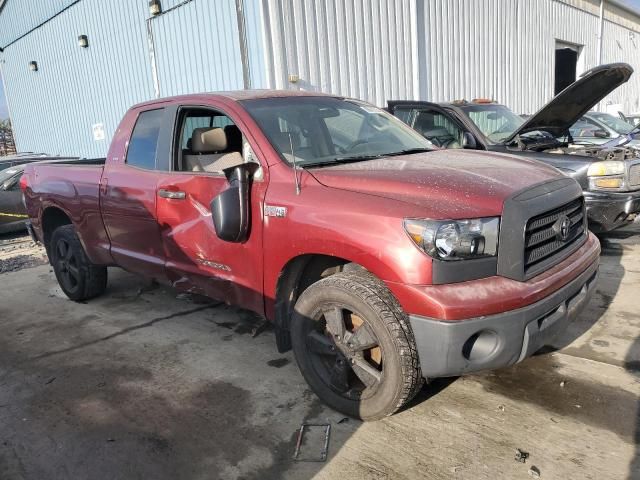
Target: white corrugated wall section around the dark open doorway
506,50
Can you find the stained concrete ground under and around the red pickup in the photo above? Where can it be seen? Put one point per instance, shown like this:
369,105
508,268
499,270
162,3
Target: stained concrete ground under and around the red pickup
145,383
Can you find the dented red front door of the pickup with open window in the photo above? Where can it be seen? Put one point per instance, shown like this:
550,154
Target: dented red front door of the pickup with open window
196,259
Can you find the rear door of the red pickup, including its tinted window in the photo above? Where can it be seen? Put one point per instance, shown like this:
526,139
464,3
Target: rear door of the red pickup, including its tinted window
128,199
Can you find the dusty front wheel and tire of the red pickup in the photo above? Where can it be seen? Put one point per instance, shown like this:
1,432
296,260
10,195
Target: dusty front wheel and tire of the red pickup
370,315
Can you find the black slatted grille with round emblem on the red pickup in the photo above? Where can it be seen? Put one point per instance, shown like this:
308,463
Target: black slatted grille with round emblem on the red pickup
543,239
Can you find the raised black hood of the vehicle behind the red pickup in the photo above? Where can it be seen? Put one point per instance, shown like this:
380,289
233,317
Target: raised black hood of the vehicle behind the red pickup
573,102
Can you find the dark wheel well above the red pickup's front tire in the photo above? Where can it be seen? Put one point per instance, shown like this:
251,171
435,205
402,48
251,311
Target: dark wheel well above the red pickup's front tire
298,275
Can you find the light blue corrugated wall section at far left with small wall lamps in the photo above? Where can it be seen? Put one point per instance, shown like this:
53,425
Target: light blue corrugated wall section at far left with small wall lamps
53,109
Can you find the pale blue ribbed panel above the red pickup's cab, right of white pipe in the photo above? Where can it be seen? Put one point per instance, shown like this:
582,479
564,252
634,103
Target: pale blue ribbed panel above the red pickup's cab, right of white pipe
196,48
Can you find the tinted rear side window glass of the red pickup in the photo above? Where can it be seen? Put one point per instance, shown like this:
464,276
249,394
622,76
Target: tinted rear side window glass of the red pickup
144,140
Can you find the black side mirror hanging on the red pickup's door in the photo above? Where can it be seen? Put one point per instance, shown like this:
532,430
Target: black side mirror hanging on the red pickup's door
230,209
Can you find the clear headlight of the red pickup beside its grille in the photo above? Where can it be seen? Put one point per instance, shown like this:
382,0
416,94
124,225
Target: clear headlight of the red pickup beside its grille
455,239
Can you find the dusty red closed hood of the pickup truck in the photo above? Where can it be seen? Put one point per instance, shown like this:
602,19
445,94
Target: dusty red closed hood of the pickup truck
445,183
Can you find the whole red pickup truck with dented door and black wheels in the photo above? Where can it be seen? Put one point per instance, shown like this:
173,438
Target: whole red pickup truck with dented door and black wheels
380,261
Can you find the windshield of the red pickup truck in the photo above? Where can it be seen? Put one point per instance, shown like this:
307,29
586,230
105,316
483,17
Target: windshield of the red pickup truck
327,130
